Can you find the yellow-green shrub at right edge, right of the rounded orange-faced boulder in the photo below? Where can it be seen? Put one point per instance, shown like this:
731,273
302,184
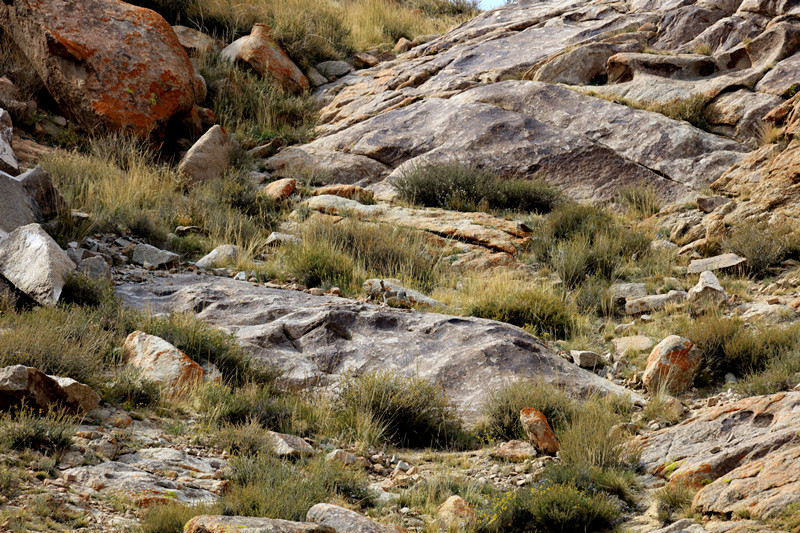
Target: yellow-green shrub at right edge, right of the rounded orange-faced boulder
729,345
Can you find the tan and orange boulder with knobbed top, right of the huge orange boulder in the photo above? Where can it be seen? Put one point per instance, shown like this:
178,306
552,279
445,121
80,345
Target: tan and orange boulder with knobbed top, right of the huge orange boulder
265,56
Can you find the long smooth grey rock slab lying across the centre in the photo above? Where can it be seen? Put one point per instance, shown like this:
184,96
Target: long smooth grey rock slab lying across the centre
319,338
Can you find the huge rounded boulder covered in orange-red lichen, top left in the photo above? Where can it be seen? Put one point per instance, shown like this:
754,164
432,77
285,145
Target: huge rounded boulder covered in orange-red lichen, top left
108,64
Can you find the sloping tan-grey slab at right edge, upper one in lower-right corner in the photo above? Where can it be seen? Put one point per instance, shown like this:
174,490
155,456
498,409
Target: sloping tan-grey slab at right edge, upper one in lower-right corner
711,444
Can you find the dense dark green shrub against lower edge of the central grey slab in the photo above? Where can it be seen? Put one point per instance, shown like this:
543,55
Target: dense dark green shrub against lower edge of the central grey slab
415,412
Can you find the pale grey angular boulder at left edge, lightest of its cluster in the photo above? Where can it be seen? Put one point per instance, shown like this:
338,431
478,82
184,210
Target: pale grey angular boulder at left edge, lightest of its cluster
34,263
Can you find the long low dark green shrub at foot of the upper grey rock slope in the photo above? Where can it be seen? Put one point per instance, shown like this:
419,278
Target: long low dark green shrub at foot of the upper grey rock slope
461,187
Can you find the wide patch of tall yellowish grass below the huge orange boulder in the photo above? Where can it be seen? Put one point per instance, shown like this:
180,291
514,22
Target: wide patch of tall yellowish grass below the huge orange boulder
123,186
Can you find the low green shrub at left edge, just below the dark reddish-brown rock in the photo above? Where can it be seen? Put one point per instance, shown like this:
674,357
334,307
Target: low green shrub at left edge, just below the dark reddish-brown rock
24,429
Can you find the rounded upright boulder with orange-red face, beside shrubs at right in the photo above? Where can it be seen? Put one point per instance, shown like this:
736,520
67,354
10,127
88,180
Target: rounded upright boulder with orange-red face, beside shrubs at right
672,364
